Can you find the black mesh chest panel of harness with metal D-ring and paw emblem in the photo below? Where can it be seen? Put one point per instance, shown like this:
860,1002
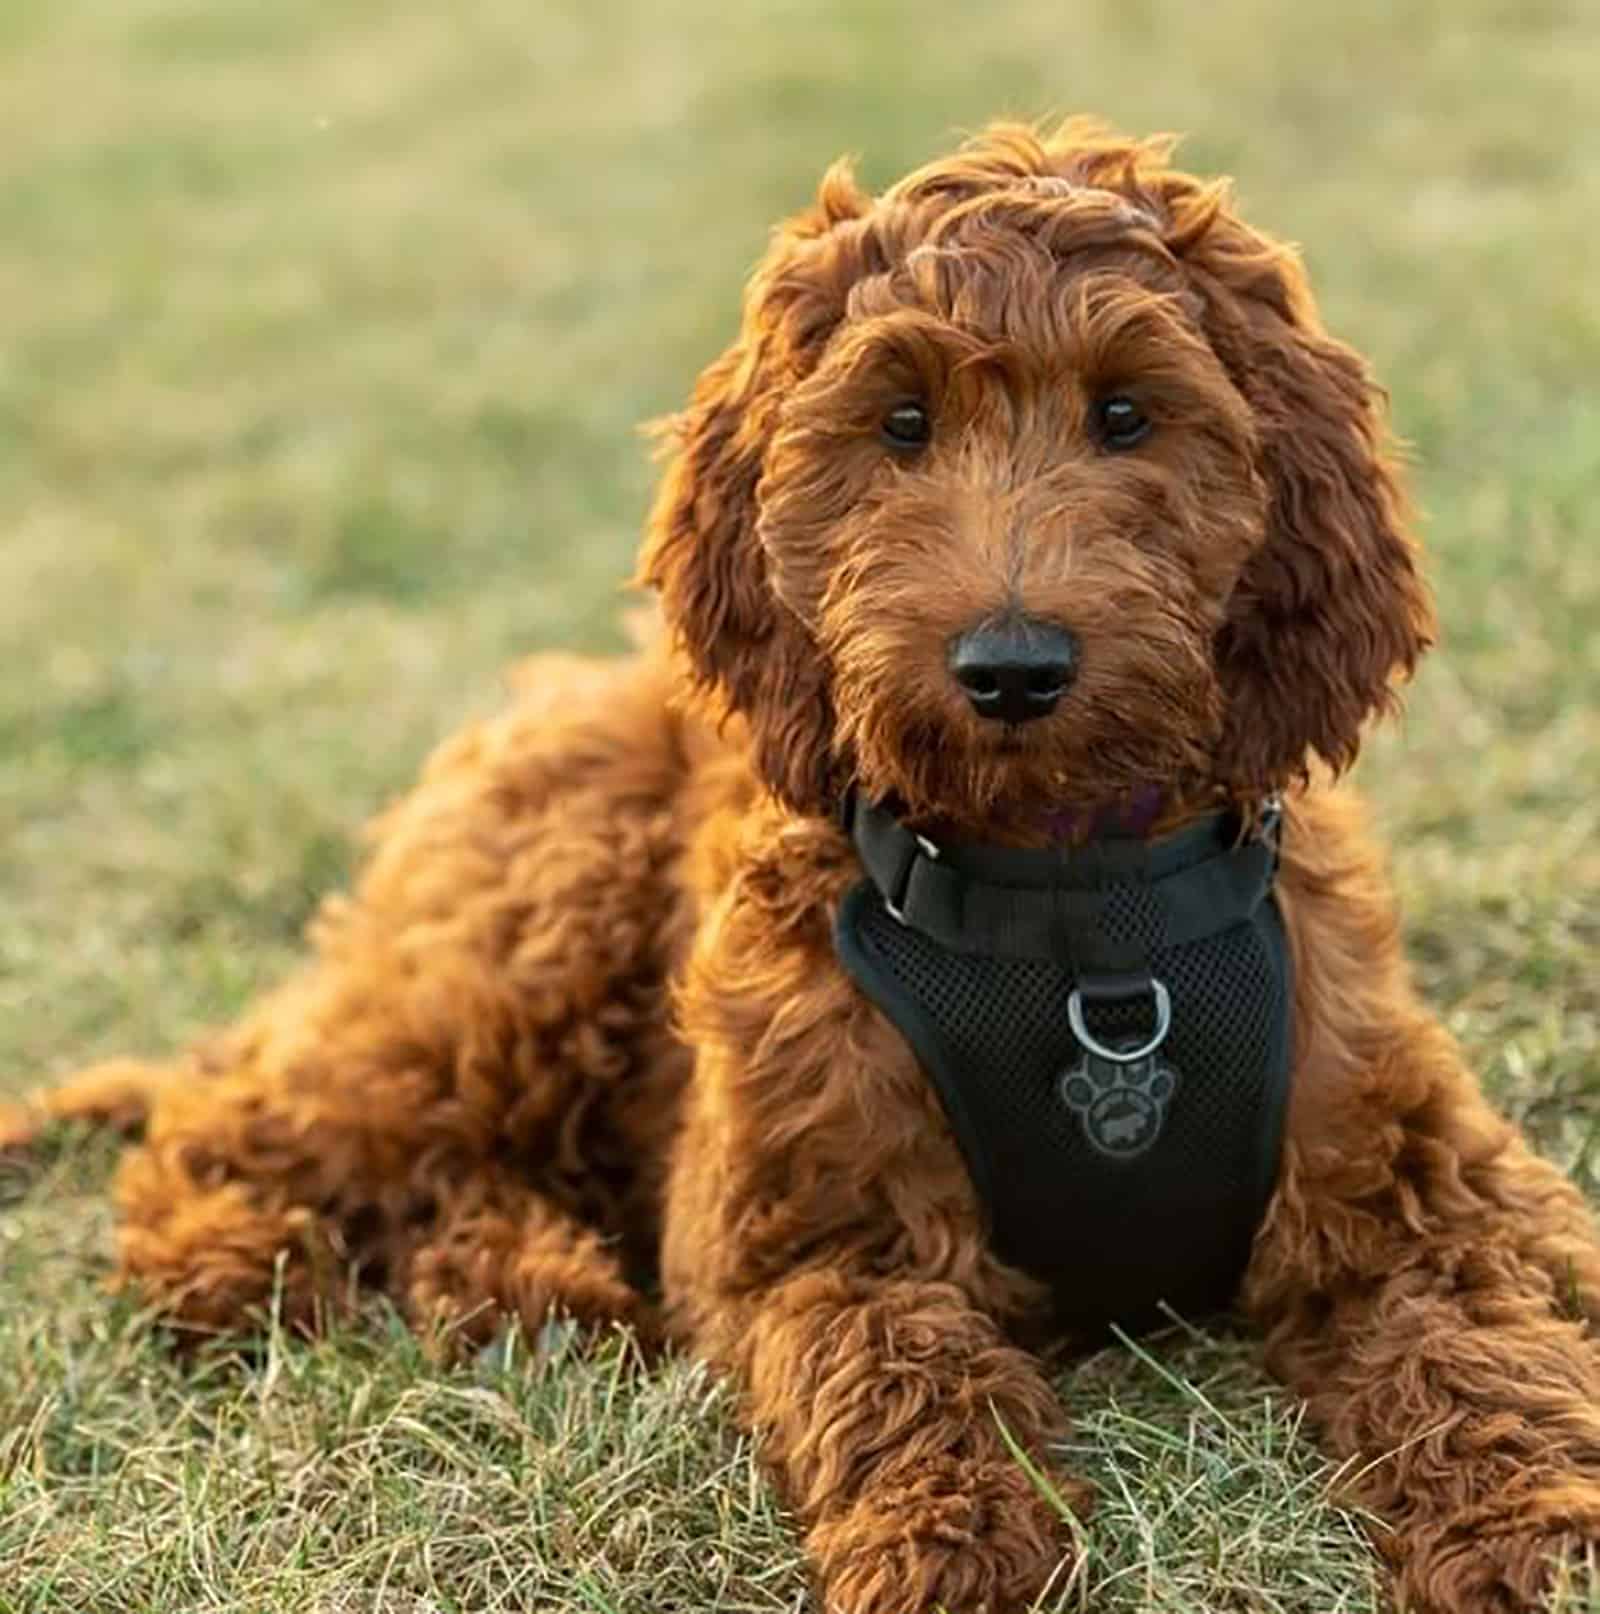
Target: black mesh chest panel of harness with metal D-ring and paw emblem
1126,1177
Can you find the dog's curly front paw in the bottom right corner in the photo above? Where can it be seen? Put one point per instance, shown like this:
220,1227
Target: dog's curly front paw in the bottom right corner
1546,1558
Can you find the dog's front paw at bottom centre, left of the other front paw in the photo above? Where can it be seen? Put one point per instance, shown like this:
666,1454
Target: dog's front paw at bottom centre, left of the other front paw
963,1539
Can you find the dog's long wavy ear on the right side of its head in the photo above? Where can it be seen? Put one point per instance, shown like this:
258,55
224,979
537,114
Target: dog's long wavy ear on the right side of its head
1333,609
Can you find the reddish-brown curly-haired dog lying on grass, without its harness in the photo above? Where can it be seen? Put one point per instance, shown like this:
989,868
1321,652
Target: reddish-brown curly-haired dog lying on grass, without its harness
582,1034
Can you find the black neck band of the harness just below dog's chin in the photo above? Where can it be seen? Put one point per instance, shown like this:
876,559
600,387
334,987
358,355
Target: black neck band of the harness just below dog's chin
1105,908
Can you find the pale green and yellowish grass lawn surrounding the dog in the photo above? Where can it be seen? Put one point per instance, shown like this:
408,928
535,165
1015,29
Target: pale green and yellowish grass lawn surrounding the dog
329,328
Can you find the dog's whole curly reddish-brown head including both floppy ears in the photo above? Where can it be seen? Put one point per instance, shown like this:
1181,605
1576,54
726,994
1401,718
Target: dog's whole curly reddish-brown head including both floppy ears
1036,482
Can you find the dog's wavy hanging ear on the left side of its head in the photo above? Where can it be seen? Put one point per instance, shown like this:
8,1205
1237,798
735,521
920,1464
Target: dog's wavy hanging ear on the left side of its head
703,550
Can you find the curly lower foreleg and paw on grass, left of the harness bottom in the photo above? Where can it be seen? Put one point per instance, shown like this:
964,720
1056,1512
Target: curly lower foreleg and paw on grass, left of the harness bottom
881,1405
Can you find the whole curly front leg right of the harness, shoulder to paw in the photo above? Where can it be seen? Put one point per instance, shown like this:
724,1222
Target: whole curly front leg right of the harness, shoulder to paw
1426,1282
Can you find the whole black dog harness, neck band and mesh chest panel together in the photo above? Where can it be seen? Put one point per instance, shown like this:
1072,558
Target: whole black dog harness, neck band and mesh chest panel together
1110,1035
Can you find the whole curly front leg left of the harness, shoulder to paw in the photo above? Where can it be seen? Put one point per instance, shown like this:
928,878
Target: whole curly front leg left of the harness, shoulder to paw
823,1248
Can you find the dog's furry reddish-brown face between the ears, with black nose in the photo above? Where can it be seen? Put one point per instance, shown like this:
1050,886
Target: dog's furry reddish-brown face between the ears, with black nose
1010,506
